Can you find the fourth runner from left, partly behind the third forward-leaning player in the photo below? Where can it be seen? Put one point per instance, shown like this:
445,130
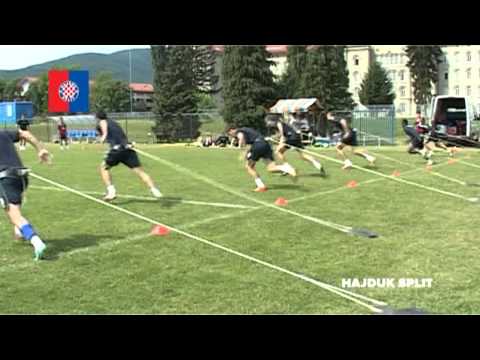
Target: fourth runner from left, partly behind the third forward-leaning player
291,137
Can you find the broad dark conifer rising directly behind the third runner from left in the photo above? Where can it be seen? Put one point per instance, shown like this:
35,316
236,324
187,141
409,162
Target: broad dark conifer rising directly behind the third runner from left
248,85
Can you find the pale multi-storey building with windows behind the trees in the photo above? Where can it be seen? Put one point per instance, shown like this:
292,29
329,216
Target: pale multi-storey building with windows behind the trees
459,71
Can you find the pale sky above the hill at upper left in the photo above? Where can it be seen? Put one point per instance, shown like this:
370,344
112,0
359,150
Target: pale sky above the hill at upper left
14,57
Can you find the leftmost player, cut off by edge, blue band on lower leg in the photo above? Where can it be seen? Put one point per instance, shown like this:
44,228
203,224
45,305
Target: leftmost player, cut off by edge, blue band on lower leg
14,182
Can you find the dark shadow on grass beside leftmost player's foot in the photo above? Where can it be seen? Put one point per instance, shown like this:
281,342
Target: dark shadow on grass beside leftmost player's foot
56,247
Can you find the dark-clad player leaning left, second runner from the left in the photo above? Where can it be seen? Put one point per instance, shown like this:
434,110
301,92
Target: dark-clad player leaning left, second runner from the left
120,152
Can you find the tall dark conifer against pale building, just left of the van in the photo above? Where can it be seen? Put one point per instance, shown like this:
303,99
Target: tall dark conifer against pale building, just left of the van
423,63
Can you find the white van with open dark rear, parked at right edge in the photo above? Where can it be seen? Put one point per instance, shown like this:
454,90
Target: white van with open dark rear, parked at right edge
454,117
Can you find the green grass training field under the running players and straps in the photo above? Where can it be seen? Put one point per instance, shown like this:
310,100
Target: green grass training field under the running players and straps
103,261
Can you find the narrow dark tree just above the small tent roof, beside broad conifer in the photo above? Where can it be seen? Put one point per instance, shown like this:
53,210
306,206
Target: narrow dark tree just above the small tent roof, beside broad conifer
290,82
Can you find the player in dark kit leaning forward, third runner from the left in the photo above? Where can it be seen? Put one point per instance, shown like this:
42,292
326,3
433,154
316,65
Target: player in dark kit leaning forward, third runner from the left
259,149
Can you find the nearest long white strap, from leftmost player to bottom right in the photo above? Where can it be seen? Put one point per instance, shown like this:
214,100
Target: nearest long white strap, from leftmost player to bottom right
333,289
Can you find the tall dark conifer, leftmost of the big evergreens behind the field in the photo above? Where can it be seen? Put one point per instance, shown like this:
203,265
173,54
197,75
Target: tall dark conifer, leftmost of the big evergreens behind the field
176,91
